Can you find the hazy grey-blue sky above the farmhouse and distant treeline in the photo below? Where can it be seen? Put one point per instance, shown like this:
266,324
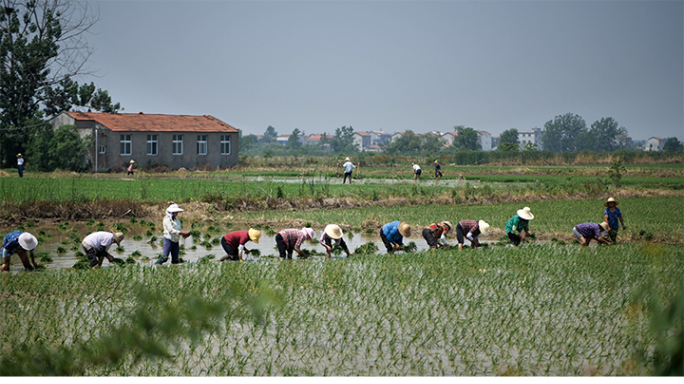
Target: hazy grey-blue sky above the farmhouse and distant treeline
397,65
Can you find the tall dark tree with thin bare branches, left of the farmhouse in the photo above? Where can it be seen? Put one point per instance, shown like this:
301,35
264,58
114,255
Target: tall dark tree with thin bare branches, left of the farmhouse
42,51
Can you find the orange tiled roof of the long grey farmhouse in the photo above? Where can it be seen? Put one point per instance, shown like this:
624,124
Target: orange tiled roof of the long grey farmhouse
139,122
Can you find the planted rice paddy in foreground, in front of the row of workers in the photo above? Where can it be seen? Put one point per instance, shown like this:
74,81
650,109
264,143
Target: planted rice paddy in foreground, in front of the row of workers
538,310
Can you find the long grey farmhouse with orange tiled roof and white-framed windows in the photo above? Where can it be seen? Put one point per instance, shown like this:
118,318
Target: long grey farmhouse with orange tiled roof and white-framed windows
174,141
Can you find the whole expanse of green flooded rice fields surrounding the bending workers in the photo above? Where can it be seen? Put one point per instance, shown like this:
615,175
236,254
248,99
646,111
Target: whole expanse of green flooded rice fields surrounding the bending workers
548,308
